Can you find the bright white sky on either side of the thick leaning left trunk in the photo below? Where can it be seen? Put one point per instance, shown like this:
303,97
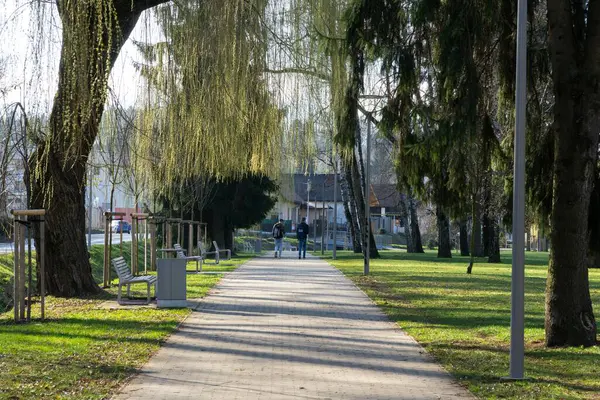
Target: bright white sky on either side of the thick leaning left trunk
30,53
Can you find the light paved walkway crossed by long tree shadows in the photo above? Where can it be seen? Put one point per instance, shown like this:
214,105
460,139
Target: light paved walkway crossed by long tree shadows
290,329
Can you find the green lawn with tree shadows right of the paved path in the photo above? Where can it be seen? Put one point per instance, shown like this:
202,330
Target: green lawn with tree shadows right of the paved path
463,321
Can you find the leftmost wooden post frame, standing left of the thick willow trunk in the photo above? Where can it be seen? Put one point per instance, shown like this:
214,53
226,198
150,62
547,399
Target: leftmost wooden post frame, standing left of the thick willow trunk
23,273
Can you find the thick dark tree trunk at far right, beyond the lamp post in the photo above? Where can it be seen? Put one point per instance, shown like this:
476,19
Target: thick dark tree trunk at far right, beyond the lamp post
576,79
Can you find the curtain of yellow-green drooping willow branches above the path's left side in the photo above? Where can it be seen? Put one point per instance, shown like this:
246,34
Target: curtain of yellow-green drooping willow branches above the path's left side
209,111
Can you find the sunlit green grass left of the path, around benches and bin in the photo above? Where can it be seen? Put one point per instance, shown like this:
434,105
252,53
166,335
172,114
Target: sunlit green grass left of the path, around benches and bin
83,352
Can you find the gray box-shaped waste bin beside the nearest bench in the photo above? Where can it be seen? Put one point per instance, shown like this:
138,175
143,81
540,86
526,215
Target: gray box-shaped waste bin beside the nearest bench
171,283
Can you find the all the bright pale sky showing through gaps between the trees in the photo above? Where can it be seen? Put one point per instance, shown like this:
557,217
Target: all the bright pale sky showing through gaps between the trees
30,38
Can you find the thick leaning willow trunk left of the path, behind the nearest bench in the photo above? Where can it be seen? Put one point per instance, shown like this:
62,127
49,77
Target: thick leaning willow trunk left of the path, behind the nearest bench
57,177
